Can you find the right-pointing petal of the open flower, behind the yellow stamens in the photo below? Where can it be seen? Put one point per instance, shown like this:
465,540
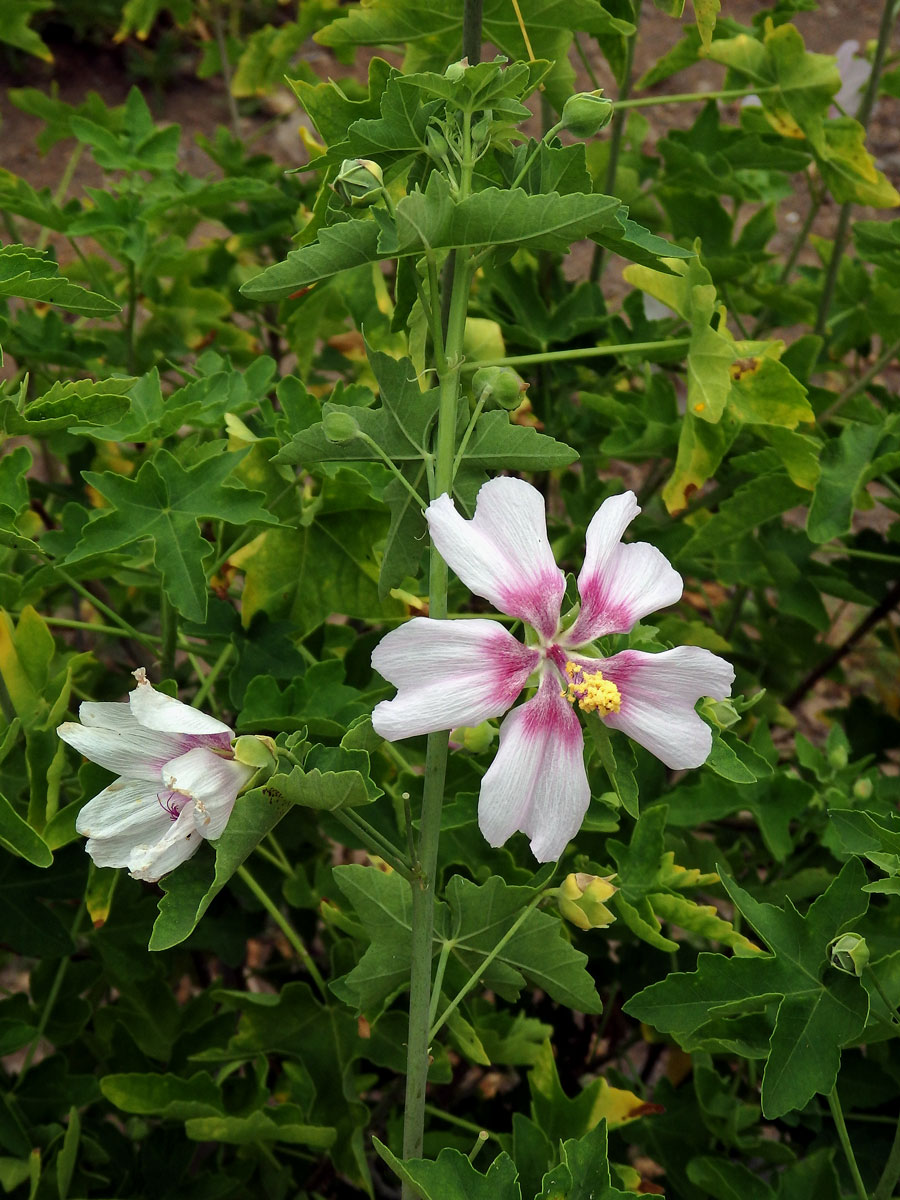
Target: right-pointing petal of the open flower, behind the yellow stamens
658,697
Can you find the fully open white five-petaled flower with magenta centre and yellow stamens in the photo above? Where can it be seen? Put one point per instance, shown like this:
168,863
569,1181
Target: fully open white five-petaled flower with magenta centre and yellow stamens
465,671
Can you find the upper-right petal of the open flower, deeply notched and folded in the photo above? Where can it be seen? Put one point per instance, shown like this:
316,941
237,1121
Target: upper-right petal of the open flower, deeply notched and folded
620,583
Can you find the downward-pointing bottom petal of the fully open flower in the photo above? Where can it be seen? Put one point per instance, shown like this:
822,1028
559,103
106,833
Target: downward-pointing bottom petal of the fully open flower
538,782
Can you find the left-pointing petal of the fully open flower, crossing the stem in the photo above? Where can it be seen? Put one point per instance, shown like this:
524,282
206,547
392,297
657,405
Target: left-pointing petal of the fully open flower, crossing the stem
448,674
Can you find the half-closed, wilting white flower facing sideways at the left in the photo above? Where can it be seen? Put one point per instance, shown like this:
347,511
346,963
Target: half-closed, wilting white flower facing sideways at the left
178,781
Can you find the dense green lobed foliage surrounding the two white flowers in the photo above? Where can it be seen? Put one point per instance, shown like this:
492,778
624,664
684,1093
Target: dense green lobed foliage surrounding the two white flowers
227,399
